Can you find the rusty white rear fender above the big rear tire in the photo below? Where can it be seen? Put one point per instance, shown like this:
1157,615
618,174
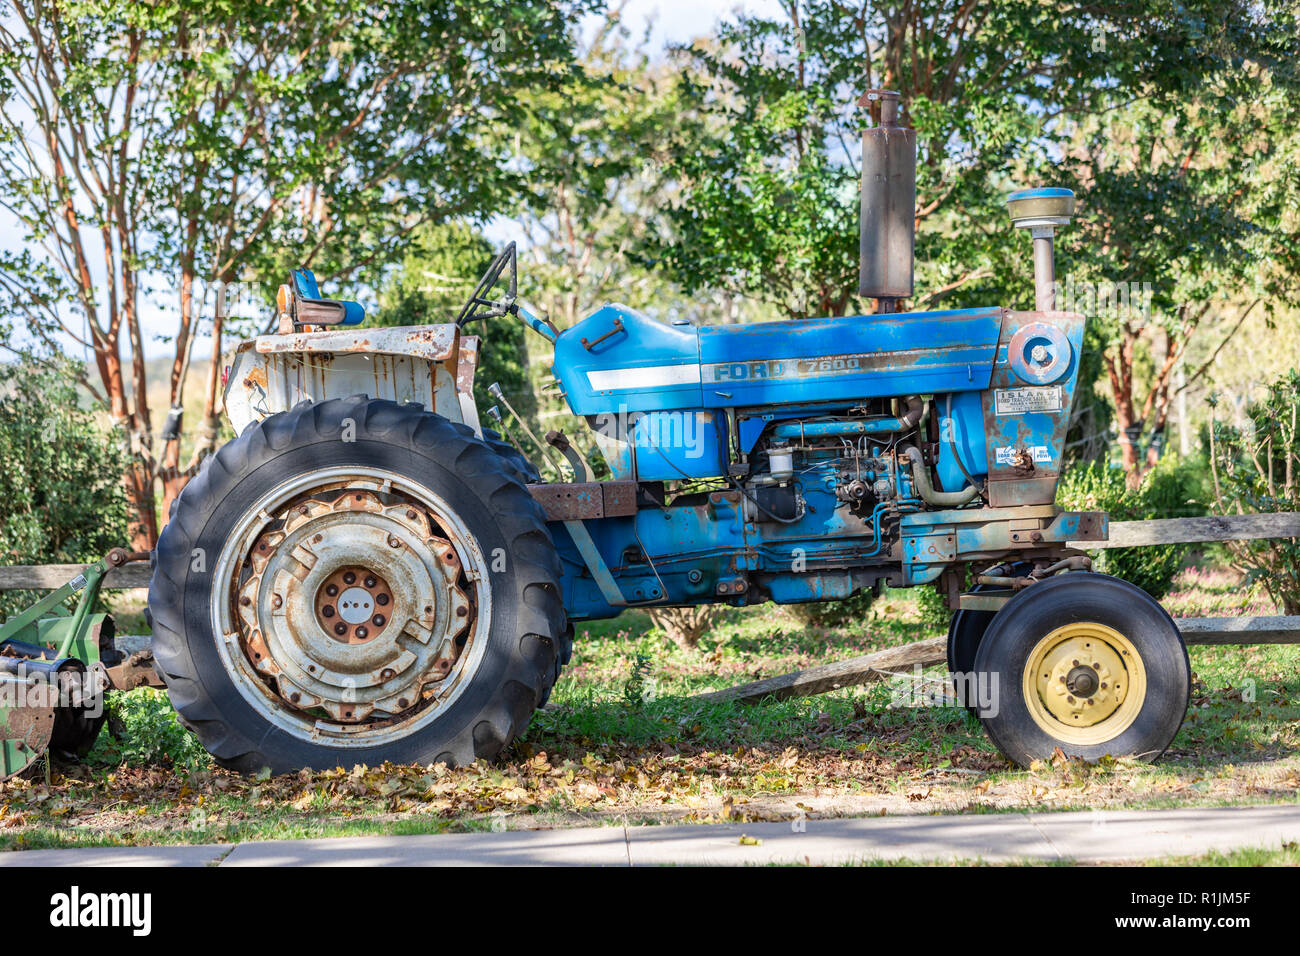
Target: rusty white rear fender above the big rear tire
431,365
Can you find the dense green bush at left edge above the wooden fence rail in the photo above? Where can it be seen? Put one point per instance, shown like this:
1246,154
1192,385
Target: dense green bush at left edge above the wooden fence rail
62,499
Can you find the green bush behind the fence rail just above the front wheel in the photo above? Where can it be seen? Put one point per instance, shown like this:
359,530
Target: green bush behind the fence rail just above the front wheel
1164,494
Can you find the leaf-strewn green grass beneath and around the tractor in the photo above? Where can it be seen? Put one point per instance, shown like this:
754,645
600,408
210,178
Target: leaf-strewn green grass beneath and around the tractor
623,742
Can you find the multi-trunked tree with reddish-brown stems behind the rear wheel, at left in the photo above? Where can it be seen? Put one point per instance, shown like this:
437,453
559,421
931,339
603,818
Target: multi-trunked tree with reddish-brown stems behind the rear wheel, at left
205,145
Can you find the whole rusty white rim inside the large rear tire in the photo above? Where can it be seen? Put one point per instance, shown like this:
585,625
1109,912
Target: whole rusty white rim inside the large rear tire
352,607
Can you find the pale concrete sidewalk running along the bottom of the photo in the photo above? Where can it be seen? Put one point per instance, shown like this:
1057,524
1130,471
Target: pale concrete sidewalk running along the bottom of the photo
1089,837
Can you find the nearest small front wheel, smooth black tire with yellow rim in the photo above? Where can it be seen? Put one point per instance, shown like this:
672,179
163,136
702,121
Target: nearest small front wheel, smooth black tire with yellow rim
1084,663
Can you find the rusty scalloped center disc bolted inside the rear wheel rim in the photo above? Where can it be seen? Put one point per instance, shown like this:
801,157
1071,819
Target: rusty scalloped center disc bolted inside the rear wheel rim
354,608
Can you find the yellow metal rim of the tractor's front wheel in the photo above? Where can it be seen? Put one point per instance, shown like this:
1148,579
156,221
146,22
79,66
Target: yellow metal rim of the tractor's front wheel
1085,684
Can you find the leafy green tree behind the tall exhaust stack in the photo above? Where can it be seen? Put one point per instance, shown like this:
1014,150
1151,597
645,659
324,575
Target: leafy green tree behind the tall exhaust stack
996,94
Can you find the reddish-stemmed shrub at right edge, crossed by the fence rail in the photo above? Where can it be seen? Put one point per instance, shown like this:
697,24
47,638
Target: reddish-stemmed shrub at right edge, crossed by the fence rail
1256,469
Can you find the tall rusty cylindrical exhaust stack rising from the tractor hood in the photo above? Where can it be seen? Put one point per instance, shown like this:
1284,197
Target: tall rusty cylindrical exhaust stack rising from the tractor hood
889,204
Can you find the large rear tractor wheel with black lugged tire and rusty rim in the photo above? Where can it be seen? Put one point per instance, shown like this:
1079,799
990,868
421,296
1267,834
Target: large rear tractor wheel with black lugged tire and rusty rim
357,582
